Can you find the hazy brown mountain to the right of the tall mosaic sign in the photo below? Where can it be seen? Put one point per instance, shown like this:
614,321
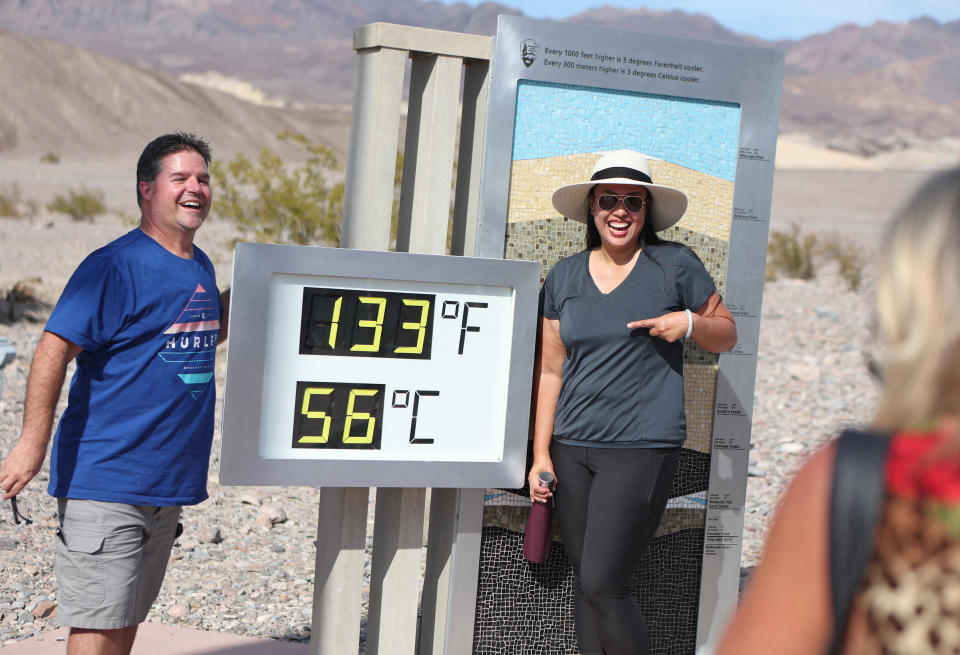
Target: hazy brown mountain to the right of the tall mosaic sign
869,89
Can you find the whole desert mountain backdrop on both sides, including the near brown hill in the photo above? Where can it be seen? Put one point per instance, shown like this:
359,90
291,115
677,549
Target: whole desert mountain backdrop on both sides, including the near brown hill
863,90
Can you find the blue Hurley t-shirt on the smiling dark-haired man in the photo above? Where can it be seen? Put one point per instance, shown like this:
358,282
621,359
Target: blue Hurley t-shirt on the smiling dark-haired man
139,419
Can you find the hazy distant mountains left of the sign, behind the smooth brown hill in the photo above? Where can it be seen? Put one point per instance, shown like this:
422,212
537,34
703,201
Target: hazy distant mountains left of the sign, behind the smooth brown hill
300,51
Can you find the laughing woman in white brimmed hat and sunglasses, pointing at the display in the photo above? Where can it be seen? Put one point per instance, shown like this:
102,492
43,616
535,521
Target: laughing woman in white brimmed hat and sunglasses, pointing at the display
609,385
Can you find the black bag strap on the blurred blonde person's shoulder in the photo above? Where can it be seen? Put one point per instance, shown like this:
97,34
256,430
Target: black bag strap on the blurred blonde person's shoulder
856,504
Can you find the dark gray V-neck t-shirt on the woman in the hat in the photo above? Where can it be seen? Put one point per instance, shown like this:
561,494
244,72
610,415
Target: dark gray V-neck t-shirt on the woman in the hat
622,388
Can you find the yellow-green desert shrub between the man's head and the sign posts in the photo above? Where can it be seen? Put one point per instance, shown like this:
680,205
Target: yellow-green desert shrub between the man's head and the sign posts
269,200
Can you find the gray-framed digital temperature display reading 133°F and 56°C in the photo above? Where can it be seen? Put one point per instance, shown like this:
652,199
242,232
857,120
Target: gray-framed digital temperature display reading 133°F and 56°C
357,368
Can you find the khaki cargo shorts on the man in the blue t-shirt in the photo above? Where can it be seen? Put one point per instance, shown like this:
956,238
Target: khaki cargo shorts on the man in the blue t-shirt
111,559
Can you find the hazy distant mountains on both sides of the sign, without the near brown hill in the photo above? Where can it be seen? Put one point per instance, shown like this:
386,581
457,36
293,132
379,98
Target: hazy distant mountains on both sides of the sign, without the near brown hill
866,90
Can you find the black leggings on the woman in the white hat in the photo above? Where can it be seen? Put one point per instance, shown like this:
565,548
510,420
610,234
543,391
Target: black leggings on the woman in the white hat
609,502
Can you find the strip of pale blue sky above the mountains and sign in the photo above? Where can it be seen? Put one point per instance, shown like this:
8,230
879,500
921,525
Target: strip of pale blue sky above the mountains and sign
768,19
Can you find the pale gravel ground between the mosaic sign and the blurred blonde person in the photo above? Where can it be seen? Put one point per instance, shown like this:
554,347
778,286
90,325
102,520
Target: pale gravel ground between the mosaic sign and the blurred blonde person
812,381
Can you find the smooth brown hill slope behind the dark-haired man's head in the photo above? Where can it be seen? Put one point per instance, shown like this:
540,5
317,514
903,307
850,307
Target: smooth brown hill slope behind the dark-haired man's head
80,105
